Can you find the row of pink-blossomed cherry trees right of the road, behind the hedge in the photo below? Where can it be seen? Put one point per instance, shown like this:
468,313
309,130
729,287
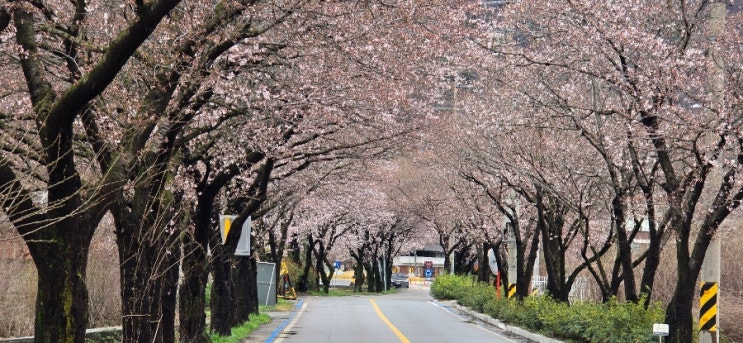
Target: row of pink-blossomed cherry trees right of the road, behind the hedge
609,115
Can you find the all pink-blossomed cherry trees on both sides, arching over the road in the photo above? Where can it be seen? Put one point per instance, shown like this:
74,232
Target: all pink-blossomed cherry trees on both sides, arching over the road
581,122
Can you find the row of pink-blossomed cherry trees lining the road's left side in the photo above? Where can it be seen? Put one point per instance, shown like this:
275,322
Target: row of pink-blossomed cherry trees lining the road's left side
165,113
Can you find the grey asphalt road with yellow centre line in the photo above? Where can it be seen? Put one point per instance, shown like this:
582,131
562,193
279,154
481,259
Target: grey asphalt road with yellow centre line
410,315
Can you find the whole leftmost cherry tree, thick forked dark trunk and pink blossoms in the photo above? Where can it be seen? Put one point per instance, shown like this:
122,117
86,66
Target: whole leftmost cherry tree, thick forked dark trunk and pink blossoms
61,74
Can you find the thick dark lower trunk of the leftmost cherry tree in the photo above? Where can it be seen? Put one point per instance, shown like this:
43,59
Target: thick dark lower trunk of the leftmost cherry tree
59,251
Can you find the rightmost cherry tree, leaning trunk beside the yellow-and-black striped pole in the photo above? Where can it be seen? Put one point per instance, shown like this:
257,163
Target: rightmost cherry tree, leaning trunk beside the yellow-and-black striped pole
641,68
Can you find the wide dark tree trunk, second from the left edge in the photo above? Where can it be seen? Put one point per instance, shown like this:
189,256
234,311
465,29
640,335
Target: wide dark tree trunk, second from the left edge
149,257
